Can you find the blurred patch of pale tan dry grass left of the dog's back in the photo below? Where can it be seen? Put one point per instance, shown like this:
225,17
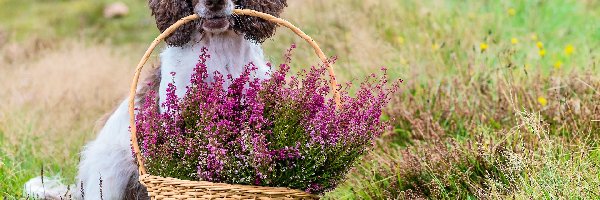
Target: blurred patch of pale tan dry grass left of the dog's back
53,95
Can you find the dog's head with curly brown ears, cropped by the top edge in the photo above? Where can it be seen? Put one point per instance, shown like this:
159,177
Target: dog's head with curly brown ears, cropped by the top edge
216,16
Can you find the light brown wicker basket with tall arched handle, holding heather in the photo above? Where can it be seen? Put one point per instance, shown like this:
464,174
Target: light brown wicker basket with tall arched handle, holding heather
171,188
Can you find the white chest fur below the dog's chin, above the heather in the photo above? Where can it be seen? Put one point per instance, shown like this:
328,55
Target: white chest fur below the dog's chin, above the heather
229,53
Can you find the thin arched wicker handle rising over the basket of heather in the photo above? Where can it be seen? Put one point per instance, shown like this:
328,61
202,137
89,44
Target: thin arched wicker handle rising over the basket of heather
172,28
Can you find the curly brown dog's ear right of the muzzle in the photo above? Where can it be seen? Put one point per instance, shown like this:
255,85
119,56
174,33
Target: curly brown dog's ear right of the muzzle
254,28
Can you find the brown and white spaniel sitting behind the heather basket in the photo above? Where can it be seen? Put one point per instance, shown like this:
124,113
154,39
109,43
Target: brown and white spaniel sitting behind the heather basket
107,169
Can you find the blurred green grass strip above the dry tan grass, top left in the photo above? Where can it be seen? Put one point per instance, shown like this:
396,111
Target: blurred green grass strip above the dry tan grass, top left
72,19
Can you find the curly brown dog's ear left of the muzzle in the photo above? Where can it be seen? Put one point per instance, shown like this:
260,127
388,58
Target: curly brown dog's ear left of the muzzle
167,12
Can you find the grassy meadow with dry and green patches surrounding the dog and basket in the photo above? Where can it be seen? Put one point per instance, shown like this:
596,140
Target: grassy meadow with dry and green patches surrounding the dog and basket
500,99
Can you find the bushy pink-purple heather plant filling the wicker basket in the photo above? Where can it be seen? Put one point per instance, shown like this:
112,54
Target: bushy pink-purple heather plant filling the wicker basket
281,132
